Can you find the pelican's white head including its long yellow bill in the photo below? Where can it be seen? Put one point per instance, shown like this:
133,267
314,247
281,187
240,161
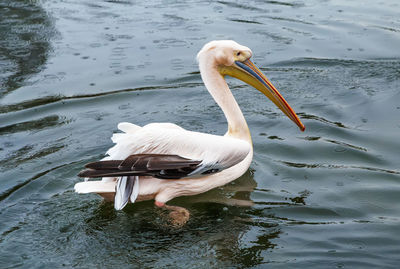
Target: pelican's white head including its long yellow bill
232,59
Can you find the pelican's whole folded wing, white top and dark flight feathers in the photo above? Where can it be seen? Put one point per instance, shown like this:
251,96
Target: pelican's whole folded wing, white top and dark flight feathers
167,151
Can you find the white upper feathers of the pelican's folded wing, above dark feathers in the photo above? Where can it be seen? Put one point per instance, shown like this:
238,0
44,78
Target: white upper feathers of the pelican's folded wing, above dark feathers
215,152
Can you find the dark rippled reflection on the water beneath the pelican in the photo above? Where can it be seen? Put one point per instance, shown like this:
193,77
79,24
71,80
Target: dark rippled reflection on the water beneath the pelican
221,221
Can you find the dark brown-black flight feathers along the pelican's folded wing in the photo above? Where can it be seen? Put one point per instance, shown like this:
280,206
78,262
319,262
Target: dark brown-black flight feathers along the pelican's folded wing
162,166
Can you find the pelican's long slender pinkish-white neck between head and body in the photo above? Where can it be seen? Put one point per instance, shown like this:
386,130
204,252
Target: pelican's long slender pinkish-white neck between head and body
219,90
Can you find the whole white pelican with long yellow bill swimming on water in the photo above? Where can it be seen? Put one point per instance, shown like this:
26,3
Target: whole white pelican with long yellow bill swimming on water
162,161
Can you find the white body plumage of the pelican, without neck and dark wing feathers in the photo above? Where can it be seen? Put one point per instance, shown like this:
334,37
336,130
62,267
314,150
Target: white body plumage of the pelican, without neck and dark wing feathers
215,152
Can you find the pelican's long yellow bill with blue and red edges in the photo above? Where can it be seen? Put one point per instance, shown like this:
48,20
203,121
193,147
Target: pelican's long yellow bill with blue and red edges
249,73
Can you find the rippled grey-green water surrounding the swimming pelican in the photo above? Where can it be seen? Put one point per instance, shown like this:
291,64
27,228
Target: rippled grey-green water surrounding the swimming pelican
326,198
